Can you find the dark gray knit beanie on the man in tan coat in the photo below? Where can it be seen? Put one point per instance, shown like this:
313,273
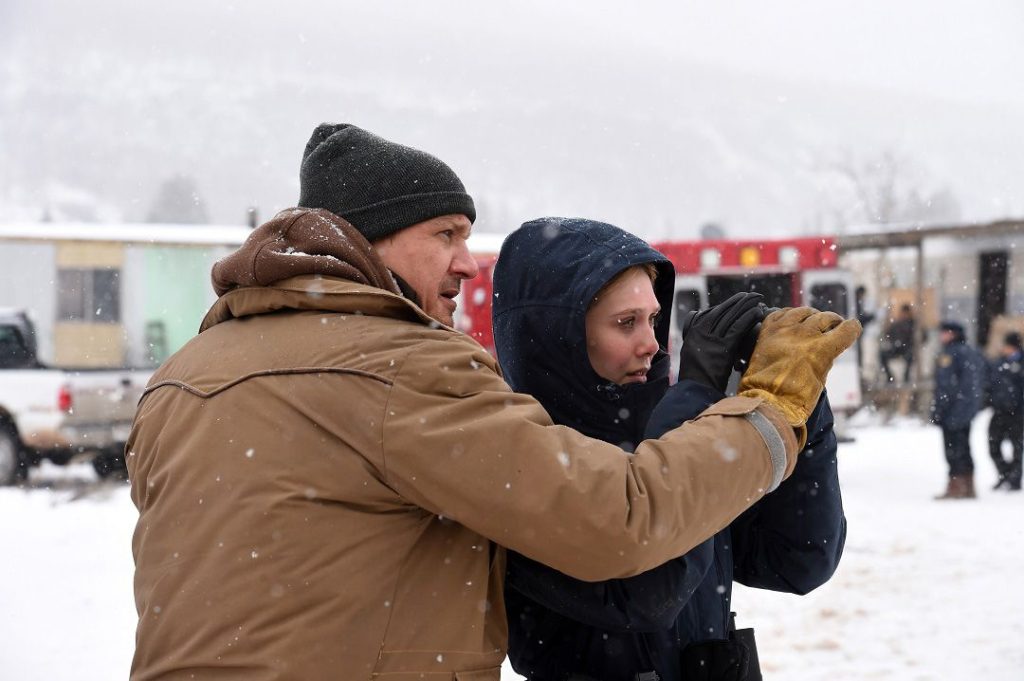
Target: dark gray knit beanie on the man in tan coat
378,186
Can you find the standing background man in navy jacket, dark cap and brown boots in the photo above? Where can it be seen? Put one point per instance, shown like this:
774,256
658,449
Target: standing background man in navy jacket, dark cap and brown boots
959,393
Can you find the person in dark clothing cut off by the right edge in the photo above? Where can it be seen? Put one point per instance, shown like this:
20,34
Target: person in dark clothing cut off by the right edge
1006,391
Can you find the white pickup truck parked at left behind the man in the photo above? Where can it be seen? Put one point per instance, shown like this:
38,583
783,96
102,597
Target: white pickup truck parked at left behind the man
63,414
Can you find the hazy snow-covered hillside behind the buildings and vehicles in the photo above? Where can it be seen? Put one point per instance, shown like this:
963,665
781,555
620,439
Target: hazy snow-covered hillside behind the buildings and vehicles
537,122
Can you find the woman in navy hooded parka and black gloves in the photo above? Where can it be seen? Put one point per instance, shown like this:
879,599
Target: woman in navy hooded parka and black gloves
581,320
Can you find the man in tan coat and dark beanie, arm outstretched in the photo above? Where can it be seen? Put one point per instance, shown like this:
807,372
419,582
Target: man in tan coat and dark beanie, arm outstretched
328,474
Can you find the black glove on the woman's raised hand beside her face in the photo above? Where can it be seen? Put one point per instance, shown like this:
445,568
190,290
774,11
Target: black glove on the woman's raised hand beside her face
714,337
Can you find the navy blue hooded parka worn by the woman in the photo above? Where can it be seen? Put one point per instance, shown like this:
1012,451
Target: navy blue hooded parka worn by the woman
548,274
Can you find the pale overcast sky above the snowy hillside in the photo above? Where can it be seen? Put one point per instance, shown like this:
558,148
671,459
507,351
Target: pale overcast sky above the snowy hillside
966,50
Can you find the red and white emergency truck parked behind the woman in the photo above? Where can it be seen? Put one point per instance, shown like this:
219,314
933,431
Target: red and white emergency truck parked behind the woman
789,272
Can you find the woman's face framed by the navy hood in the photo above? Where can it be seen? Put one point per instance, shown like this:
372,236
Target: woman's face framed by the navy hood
621,339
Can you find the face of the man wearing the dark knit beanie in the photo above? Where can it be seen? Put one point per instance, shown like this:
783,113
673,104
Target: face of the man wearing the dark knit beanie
434,259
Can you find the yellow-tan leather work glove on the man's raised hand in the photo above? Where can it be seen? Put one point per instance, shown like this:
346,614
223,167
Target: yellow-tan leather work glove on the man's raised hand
795,351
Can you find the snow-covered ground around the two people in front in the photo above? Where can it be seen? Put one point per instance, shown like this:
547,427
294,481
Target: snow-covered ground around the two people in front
927,590
